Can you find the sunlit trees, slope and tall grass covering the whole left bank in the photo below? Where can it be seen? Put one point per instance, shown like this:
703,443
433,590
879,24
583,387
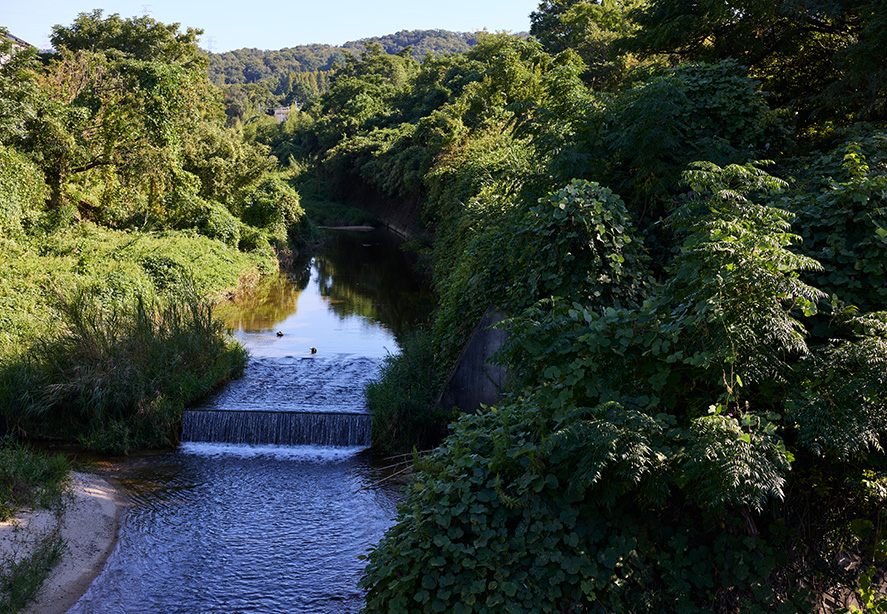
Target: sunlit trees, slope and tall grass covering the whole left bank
125,206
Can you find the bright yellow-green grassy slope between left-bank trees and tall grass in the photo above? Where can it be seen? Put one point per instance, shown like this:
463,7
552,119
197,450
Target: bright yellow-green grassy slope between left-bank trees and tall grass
34,271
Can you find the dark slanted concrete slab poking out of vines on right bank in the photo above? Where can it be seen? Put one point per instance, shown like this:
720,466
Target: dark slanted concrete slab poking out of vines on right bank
474,381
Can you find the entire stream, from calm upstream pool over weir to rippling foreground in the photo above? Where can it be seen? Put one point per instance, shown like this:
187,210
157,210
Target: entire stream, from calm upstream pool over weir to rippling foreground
271,499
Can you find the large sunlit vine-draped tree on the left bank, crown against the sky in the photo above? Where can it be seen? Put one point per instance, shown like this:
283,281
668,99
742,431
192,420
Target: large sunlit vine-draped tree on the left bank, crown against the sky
120,100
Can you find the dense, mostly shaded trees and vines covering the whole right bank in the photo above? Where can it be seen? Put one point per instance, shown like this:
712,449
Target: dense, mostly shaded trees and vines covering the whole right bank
681,206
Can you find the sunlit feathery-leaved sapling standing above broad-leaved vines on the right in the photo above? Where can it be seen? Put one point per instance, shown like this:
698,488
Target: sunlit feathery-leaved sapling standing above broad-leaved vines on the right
735,290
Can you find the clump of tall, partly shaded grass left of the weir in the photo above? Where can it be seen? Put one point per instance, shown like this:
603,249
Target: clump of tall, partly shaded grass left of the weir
122,372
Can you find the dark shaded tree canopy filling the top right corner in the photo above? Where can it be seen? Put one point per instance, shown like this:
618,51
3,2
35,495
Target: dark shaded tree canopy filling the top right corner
806,53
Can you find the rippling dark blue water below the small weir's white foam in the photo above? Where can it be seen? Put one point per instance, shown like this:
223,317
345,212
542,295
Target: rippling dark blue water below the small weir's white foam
229,528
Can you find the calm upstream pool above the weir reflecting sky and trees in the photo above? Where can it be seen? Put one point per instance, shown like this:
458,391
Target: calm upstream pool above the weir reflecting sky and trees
358,295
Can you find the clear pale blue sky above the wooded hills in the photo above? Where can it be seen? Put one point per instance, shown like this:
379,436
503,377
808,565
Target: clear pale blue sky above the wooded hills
233,24
